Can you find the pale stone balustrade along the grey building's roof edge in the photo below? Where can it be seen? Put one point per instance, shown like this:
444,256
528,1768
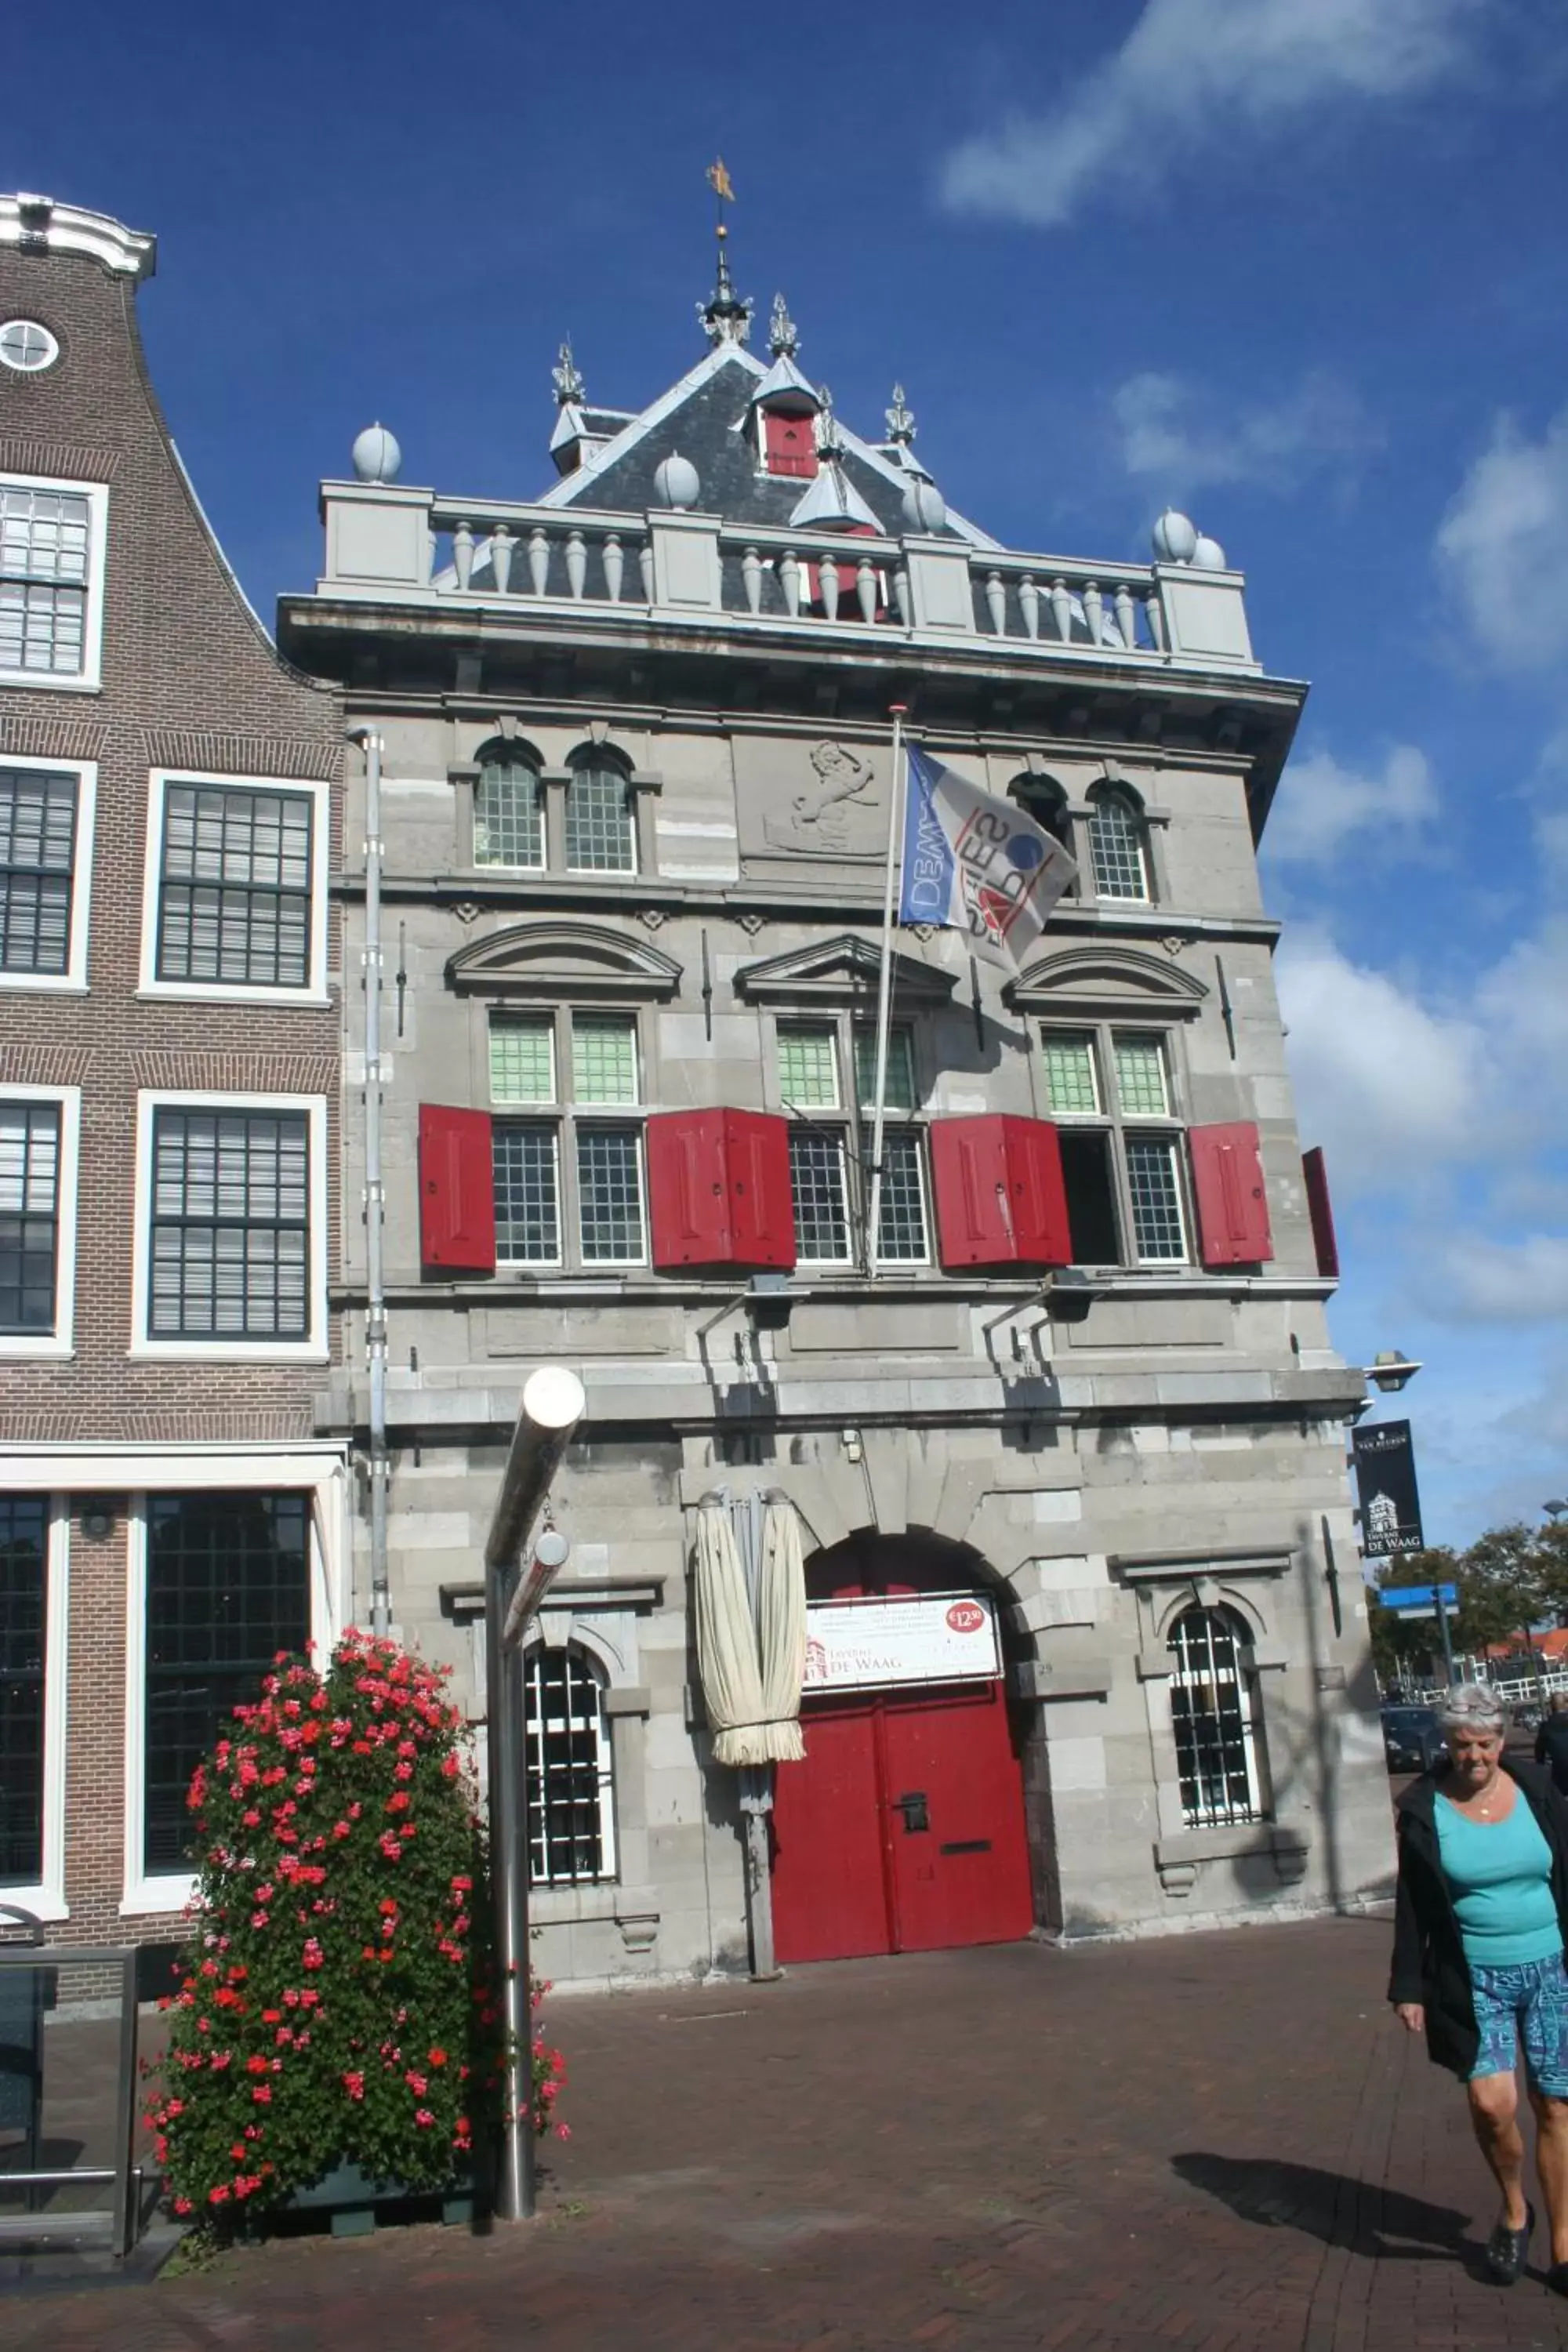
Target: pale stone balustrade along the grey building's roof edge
384,540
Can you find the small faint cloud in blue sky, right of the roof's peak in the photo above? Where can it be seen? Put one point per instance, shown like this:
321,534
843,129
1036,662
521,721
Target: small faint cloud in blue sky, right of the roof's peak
1181,439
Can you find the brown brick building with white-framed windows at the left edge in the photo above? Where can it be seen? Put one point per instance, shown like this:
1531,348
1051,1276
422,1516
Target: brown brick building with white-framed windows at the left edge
168,1109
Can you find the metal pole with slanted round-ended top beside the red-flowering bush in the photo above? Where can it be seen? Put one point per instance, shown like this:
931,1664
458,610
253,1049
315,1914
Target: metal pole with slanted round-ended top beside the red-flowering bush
551,1410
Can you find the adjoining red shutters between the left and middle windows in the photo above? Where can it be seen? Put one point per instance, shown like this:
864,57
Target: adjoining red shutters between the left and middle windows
721,1191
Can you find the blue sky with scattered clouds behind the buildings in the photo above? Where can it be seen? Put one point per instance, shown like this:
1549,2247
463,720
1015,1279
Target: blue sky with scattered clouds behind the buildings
1292,265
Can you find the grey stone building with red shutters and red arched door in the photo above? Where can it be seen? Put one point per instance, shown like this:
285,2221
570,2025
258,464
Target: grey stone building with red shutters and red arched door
638,789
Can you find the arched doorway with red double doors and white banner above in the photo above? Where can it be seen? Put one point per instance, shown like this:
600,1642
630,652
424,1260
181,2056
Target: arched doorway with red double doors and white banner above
904,1829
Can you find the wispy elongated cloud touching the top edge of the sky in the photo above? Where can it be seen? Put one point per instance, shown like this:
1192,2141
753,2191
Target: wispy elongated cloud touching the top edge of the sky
1200,72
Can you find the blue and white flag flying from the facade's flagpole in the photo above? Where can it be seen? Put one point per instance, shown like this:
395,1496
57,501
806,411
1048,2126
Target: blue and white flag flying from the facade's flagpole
977,864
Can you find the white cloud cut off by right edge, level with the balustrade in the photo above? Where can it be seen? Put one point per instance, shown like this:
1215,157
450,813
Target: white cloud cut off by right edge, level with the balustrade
1503,547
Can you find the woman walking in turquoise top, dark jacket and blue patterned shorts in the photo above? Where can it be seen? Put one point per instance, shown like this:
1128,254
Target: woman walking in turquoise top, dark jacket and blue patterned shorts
1480,1935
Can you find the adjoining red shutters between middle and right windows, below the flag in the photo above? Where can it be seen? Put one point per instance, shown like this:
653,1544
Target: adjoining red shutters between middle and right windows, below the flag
1000,1196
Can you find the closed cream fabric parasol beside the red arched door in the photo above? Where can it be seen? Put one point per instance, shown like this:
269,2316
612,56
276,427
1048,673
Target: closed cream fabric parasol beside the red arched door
751,1664
